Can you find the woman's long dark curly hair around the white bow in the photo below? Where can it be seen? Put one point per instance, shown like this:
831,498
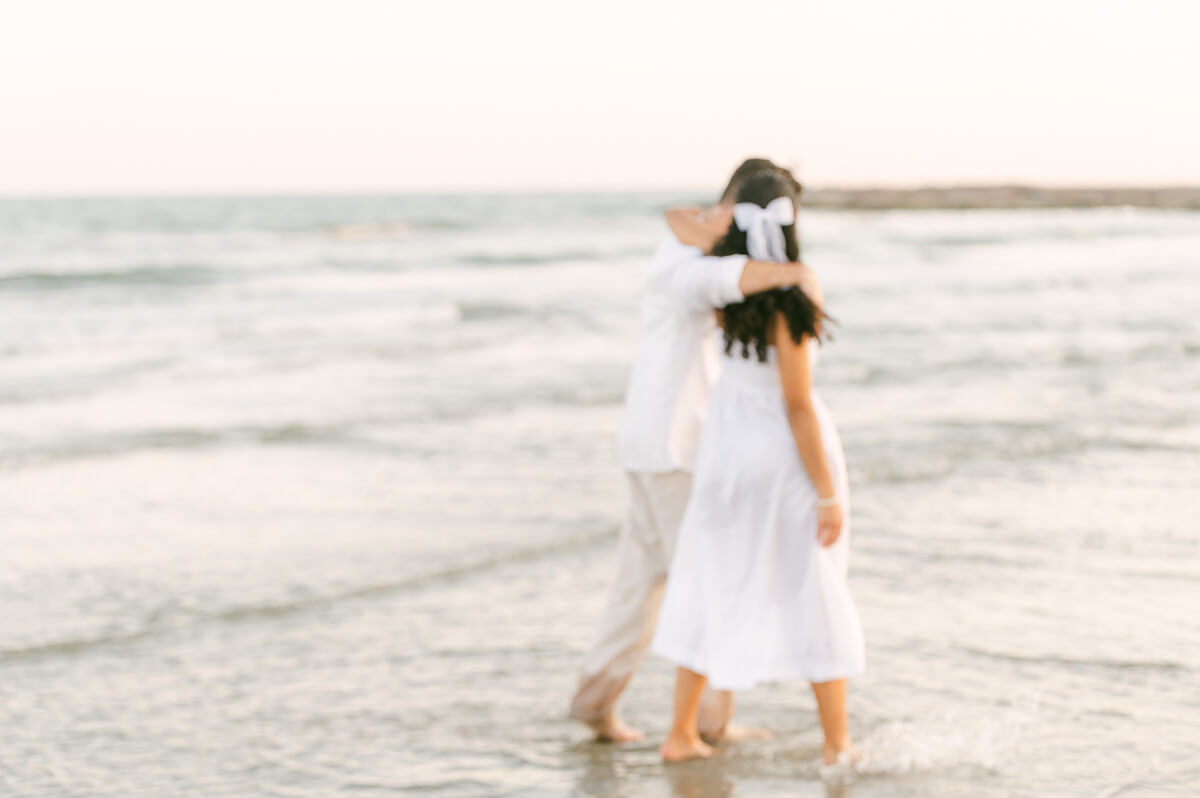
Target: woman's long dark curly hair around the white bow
752,321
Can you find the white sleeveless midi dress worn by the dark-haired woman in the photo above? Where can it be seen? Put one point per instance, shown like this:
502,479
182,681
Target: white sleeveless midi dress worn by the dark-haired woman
752,596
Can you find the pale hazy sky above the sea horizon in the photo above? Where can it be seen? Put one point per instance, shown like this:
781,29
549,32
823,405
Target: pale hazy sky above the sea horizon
141,97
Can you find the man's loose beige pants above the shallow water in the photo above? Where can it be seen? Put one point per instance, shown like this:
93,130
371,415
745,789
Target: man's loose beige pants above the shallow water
657,503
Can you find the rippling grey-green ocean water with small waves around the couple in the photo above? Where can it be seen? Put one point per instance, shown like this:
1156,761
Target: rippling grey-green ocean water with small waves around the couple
320,496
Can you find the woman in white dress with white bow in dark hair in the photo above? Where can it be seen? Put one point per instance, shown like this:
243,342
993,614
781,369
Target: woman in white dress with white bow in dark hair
758,586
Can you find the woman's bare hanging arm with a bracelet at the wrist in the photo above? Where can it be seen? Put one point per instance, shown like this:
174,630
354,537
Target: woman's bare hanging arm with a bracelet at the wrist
797,380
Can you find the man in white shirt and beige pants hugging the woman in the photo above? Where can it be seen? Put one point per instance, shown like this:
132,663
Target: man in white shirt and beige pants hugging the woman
675,370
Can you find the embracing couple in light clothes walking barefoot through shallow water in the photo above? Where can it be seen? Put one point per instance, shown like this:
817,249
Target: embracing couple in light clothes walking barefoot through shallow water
733,556
